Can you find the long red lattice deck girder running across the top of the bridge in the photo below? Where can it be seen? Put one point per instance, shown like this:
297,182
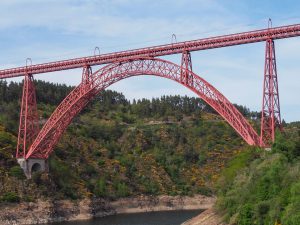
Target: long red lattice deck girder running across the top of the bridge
161,50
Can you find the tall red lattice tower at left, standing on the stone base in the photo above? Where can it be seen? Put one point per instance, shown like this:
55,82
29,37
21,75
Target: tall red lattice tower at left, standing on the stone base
29,124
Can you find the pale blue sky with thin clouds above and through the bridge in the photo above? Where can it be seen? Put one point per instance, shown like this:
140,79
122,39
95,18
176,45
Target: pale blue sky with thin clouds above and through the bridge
50,30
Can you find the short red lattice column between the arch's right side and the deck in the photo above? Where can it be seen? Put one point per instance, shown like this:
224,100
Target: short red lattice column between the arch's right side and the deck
186,69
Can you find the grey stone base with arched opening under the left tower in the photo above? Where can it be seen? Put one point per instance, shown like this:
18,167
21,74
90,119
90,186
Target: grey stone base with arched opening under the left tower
33,165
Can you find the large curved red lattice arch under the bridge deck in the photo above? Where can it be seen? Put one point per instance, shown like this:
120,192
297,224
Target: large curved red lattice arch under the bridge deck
108,75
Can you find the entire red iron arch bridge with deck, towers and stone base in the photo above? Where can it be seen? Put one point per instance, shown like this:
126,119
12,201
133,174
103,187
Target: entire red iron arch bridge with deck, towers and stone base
35,145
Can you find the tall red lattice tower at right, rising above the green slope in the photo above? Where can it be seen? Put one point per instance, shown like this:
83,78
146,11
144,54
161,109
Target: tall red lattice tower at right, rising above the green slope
270,117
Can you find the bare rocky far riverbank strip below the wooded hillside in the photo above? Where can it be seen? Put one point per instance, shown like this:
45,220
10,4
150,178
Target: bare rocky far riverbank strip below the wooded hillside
66,210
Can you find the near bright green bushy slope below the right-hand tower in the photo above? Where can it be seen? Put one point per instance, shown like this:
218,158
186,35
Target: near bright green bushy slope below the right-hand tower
261,187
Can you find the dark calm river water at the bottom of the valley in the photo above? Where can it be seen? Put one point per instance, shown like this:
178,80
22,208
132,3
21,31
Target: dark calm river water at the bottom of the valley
150,218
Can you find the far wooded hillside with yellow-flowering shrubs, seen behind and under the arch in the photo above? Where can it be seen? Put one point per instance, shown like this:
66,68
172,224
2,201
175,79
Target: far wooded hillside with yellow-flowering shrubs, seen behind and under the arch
114,148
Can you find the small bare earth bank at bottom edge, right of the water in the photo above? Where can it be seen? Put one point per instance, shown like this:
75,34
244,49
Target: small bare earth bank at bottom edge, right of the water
208,217
